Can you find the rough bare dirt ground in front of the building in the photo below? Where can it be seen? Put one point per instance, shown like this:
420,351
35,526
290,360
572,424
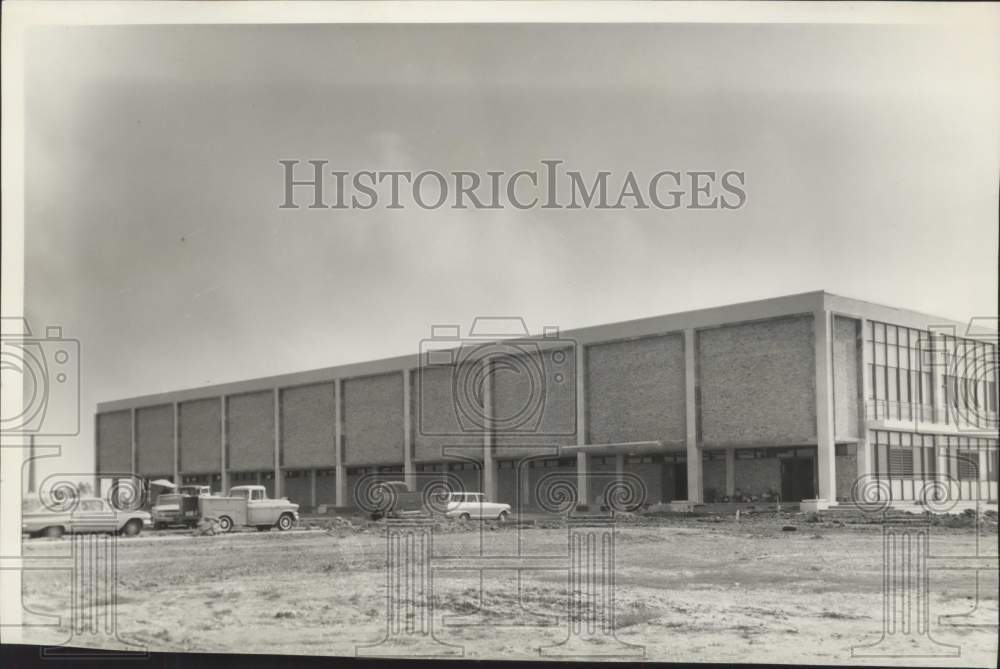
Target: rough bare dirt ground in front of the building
696,590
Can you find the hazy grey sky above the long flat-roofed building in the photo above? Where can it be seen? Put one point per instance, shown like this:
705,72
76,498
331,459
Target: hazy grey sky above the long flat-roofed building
153,234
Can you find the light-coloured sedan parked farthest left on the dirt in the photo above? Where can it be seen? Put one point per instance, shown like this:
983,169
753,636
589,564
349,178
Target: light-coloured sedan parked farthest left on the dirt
91,515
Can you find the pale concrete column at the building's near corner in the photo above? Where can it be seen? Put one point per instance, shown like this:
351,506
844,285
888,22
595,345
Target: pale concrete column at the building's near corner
825,448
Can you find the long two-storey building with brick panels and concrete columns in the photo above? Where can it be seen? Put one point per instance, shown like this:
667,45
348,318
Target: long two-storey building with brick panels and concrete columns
799,395
